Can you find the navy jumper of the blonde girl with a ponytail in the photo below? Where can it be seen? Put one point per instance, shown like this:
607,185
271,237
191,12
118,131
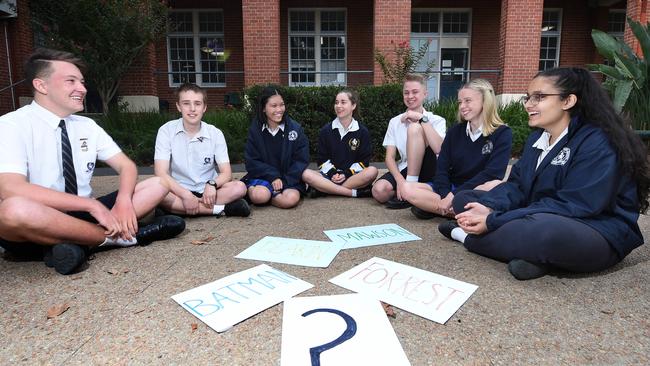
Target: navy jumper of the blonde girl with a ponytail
469,159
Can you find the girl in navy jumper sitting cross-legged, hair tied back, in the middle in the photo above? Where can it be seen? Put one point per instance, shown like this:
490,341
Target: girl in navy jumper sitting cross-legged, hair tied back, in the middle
344,151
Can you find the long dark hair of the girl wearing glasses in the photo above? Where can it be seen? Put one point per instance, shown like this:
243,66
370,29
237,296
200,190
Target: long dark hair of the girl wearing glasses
594,106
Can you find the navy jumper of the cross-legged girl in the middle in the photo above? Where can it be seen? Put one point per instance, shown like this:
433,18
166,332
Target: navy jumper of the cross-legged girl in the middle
347,151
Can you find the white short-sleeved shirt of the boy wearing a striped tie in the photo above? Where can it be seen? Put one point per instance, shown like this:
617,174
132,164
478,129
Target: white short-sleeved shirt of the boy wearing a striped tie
30,144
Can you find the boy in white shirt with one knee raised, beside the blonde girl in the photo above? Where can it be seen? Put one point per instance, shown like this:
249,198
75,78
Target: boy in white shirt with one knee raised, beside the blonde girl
424,132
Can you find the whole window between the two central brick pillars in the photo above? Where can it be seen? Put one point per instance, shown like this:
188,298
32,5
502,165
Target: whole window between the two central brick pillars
317,47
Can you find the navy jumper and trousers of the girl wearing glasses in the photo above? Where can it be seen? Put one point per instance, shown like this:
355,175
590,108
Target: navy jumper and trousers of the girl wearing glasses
572,208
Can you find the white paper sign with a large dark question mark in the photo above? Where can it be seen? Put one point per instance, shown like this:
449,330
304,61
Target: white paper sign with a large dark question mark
338,330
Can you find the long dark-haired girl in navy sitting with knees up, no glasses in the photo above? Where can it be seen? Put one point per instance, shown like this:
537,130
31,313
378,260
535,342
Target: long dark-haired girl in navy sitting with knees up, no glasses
277,153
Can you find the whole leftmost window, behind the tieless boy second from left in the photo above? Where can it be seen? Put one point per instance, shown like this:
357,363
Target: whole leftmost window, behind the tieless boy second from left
196,47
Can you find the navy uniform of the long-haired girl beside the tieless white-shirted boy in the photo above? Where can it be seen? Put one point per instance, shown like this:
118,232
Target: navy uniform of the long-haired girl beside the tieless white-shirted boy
269,155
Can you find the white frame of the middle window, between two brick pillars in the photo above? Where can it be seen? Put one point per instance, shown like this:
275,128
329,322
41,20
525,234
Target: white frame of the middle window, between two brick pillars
317,34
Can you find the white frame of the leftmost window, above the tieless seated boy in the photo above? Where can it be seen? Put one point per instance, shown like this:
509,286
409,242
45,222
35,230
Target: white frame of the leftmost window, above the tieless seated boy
196,36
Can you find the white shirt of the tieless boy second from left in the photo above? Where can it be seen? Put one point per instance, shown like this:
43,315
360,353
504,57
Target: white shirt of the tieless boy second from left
193,160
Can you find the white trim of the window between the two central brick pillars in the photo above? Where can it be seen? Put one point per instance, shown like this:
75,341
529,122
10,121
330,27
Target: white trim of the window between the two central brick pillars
316,33
